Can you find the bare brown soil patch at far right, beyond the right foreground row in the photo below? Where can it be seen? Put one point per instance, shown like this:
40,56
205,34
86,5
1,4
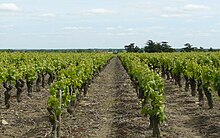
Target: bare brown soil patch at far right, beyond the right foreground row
186,119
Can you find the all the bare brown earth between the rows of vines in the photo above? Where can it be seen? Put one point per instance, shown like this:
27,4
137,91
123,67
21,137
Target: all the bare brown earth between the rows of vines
111,109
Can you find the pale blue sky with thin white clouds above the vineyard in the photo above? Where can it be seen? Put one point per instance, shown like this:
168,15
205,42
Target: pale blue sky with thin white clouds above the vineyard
74,24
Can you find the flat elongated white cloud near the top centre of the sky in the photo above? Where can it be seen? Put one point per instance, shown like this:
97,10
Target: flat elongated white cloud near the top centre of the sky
100,12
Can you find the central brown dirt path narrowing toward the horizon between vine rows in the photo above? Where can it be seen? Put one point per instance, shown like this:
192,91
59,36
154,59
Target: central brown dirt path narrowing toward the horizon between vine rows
111,108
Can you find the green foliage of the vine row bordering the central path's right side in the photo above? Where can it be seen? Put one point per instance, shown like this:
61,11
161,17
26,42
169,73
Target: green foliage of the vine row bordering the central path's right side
150,82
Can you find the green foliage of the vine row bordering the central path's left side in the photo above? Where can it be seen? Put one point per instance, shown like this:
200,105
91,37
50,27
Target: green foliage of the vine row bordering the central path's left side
72,74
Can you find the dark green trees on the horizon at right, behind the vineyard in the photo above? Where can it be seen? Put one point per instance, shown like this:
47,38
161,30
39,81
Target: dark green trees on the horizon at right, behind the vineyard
151,46
